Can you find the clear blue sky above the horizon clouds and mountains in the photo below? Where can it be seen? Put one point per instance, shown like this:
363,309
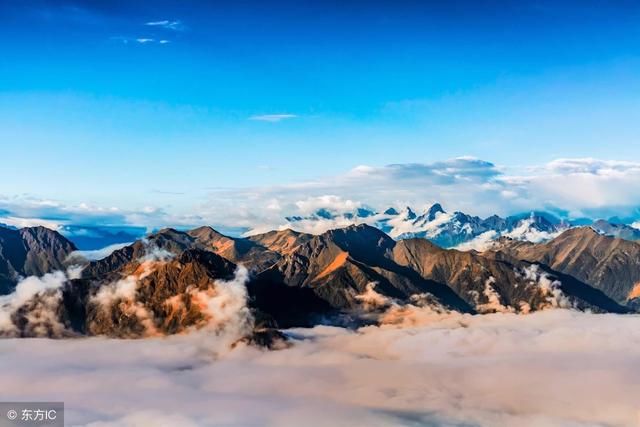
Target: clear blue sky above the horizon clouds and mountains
153,106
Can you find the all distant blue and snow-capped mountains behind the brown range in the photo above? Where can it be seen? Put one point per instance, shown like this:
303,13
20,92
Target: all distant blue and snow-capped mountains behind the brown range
448,230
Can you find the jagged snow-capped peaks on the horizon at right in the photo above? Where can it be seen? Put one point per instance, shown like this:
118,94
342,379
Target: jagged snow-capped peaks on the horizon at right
458,229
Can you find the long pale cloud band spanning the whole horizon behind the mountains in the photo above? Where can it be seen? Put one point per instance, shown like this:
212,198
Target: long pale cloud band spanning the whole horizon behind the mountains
571,188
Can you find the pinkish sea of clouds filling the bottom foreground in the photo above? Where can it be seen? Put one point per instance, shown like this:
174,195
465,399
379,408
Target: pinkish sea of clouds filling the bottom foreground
551,368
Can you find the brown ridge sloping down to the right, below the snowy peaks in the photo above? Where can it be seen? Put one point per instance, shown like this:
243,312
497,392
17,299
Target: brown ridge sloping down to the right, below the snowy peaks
500,283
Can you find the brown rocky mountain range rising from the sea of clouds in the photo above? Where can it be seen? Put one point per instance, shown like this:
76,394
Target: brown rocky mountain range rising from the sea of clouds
157,284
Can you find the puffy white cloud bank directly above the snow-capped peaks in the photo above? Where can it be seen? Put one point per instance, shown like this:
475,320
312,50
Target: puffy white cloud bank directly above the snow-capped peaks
574,188
